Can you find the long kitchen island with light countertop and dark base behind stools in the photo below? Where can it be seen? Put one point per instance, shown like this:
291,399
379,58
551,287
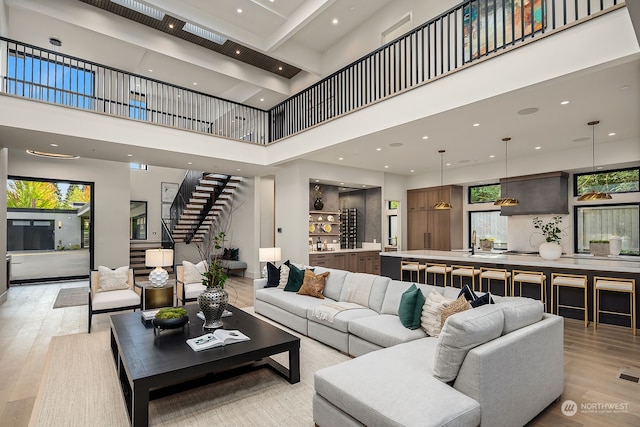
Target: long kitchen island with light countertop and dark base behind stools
622,266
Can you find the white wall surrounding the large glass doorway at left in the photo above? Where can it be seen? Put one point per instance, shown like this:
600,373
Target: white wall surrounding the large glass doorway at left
111,202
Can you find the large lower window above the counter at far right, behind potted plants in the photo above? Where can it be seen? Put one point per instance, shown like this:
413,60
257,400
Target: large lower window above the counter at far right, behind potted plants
603,221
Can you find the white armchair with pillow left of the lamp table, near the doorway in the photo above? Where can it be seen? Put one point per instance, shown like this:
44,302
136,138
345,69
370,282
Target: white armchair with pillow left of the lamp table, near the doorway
112,290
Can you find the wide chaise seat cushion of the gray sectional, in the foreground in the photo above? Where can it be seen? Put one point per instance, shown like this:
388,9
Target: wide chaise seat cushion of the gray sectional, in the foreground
394,387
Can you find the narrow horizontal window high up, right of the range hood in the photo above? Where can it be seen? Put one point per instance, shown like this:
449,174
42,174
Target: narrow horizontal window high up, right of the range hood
615,181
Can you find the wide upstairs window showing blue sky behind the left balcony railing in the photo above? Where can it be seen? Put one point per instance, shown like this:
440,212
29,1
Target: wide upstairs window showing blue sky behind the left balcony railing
49,81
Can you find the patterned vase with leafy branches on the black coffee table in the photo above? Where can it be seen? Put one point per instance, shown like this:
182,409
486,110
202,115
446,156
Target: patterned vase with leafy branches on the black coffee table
214,299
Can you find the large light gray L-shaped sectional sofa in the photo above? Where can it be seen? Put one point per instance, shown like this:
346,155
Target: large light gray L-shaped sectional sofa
495,365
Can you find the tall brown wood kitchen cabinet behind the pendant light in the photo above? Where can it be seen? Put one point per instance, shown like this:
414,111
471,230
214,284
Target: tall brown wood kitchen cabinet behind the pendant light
435,229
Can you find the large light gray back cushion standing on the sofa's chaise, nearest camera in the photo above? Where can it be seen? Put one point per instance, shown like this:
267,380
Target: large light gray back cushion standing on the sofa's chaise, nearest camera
462,332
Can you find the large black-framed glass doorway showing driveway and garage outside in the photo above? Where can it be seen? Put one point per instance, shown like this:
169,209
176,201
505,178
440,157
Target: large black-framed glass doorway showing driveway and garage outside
49,229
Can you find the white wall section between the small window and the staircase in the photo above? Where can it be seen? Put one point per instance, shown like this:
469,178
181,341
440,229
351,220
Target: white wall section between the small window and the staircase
145,187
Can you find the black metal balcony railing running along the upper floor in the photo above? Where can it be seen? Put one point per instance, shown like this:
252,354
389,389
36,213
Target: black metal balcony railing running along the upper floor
469,32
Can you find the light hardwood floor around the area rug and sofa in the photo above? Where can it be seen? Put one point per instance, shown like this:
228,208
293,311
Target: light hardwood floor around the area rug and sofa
591,358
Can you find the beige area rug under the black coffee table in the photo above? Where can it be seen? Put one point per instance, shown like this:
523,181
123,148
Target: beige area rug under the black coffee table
79,388
